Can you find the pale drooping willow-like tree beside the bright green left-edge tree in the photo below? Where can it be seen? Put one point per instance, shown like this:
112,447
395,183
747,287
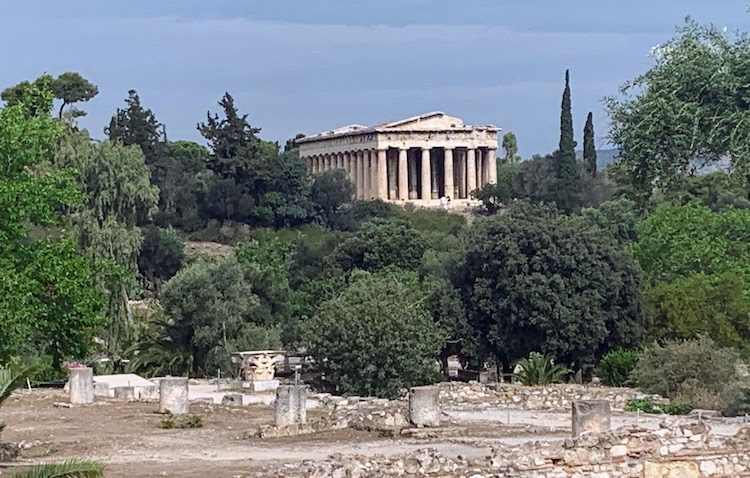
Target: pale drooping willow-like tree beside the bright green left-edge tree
119,196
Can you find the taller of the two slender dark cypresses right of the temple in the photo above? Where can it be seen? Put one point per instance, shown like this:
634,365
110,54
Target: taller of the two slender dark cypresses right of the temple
567,190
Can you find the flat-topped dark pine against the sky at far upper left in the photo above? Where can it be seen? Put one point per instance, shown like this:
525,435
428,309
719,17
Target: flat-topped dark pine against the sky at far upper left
70,88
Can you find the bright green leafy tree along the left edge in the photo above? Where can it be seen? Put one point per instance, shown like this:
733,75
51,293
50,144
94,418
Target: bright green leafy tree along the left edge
47,299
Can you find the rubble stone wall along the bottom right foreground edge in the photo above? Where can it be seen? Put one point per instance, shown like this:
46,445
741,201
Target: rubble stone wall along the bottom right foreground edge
686,450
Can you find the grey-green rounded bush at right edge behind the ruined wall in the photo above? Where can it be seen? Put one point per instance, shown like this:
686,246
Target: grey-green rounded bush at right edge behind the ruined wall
697,371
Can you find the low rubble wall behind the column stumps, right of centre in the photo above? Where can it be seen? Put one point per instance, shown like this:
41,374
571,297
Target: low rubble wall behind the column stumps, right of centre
551,397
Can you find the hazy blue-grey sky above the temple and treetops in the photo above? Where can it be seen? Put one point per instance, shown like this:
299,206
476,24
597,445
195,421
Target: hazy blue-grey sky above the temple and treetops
308,66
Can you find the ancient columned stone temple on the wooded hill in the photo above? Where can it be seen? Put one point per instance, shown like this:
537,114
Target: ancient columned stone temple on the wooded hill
418,159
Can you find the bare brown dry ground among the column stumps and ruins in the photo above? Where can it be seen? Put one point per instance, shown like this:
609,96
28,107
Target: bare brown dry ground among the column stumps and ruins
127,438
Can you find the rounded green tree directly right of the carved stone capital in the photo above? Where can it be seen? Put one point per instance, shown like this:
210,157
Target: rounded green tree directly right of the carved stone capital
377,337
